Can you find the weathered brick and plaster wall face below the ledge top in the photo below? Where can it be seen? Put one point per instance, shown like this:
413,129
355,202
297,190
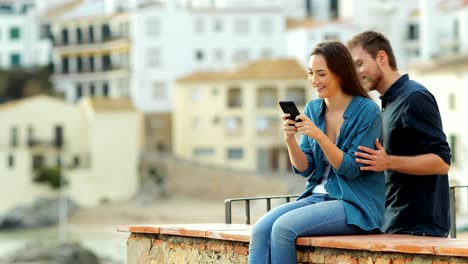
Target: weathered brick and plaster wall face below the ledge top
167,249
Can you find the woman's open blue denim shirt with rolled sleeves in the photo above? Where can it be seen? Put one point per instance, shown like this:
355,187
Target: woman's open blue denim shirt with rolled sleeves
361,192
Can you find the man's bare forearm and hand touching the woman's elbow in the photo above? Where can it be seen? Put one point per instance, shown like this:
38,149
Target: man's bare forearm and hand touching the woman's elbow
379,160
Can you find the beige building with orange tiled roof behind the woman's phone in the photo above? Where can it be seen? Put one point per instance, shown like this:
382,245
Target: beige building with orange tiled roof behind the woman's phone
232,118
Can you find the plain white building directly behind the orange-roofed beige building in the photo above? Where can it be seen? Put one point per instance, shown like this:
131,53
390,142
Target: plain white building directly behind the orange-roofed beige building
172,40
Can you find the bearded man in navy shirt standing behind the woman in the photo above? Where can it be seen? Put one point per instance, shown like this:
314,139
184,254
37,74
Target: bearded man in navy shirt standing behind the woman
415,154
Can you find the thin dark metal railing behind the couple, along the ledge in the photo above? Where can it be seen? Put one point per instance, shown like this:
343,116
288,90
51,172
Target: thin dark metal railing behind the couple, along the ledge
287,199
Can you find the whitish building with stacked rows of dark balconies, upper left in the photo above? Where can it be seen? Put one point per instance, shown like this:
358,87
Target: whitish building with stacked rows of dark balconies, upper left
91,49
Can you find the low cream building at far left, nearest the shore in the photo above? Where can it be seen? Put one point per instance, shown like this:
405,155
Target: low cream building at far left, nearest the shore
96,143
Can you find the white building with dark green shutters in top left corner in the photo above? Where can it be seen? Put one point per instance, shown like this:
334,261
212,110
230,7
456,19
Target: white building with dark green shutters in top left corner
22,43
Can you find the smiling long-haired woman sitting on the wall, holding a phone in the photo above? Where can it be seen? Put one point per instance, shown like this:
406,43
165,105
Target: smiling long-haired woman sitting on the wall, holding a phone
340,199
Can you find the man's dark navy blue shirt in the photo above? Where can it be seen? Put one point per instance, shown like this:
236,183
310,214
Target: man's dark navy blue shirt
413,126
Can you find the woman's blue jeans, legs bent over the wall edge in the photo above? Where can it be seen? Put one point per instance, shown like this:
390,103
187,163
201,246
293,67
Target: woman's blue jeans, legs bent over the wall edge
273,237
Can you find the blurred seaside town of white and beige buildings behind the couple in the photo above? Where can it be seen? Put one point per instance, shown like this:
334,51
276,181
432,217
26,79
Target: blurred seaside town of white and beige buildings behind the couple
144,111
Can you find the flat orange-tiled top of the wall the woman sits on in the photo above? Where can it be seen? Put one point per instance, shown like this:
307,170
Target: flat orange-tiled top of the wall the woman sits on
374,243
